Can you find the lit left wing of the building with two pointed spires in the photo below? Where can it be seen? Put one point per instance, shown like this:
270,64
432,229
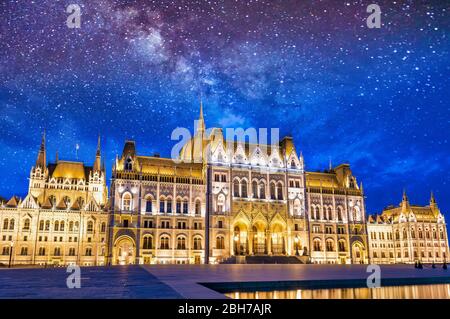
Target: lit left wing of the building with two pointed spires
62,220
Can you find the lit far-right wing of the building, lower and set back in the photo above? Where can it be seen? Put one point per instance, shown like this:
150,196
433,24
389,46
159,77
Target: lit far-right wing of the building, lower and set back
408,233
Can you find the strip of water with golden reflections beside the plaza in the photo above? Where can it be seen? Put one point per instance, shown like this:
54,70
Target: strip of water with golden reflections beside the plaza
440,291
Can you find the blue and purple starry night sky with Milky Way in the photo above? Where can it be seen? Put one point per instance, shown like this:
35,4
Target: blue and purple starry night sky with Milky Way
375,98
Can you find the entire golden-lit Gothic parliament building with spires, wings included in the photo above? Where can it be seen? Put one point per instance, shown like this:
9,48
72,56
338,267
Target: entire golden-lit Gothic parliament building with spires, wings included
221,202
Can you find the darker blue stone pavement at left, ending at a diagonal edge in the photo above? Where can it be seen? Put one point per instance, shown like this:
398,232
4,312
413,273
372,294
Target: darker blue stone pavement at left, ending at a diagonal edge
96,282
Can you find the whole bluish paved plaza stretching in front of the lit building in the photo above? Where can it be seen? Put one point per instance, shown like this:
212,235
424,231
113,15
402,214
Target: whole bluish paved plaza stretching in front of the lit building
190,281
